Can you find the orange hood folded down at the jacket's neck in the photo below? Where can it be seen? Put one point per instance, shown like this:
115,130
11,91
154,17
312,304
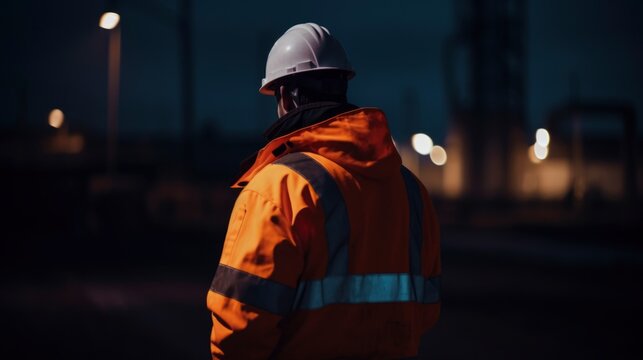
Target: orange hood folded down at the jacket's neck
358,140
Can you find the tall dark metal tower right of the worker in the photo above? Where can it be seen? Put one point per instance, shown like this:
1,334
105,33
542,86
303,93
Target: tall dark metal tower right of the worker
488,104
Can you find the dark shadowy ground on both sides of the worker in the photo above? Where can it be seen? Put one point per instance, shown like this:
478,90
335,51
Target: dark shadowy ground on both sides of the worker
508,294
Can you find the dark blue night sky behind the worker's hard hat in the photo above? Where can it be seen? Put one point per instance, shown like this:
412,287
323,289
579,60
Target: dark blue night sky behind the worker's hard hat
55,55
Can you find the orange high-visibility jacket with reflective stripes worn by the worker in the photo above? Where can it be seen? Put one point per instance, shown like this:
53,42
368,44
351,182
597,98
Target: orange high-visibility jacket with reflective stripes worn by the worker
332,250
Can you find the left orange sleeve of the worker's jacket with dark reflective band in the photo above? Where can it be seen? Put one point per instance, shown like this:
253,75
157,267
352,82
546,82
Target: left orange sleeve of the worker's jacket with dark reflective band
254,285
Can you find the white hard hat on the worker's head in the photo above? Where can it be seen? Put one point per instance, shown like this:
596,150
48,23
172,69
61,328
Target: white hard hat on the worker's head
303,48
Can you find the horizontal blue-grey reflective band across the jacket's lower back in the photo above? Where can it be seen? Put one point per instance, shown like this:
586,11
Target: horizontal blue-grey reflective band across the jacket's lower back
365,289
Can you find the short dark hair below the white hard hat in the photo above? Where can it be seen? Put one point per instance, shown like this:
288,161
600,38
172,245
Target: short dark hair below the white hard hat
316,86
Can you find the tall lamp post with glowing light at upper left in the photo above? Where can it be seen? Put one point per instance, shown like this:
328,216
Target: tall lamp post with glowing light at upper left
110,21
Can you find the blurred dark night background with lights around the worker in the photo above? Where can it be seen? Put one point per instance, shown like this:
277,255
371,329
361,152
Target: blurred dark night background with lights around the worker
123,124
